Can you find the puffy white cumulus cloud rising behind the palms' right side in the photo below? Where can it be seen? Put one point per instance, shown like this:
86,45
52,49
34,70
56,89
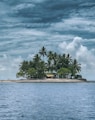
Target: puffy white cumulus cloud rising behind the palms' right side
84,55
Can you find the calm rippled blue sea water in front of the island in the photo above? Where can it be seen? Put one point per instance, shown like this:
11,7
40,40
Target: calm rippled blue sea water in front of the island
47,101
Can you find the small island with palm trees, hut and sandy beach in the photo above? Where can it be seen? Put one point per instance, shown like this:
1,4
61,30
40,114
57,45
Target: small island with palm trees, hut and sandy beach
49,66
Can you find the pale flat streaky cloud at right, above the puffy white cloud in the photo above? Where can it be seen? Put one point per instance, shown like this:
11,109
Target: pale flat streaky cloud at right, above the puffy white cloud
79,24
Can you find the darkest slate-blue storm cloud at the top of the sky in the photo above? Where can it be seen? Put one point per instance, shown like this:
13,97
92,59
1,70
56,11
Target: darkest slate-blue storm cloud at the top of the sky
45,12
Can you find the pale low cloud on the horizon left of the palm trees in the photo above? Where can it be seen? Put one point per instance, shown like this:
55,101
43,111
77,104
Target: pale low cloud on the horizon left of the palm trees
9,67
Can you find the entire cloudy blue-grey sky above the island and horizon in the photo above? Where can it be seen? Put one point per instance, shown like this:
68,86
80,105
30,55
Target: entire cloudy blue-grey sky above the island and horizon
64,26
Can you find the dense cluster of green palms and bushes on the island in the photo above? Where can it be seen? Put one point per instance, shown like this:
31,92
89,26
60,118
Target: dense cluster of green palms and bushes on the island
49,62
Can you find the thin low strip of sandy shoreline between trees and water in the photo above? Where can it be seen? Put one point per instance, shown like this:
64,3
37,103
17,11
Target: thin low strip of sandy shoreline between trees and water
46,81
